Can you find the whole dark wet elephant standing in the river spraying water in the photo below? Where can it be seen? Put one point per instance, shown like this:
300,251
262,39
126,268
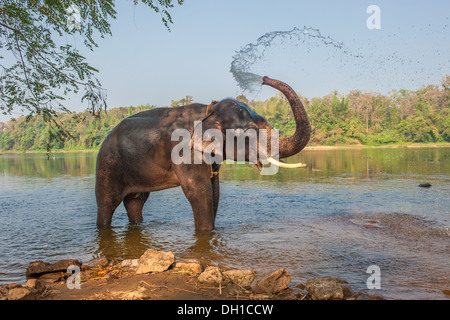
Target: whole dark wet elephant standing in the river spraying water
135,158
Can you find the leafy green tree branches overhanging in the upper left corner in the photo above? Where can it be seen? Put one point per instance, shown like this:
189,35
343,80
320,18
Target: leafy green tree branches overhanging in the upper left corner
38,66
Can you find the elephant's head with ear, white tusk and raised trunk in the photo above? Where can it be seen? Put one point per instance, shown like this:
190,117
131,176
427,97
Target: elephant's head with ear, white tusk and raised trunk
231,120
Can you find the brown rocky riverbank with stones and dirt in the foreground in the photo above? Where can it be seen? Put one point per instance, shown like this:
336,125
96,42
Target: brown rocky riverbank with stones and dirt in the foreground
157,275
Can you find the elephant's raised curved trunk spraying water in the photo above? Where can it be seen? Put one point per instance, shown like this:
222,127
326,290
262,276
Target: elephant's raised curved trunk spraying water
288,146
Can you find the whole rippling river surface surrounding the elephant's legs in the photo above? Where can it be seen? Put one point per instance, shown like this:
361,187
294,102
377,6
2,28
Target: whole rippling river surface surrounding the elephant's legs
347,210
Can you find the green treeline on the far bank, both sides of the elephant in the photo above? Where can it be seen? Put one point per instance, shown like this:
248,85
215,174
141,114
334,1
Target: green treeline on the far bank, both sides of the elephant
367,118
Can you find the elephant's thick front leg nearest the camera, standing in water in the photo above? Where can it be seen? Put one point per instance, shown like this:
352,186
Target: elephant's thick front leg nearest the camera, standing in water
197,187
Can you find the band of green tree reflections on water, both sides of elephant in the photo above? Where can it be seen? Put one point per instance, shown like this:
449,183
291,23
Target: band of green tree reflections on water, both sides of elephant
366,162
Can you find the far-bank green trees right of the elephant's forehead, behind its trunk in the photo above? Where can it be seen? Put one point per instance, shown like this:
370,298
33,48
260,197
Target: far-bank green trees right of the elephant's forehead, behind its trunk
368,118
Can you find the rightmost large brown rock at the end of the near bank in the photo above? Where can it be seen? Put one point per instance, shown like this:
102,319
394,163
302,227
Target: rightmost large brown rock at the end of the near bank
328,288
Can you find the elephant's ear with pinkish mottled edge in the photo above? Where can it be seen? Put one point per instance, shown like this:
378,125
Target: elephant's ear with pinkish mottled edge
208,139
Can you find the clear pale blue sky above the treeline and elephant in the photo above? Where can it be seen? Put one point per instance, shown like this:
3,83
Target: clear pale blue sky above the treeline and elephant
144,63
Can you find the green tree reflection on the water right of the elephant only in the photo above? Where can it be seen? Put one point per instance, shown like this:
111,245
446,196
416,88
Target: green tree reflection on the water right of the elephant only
358,162
